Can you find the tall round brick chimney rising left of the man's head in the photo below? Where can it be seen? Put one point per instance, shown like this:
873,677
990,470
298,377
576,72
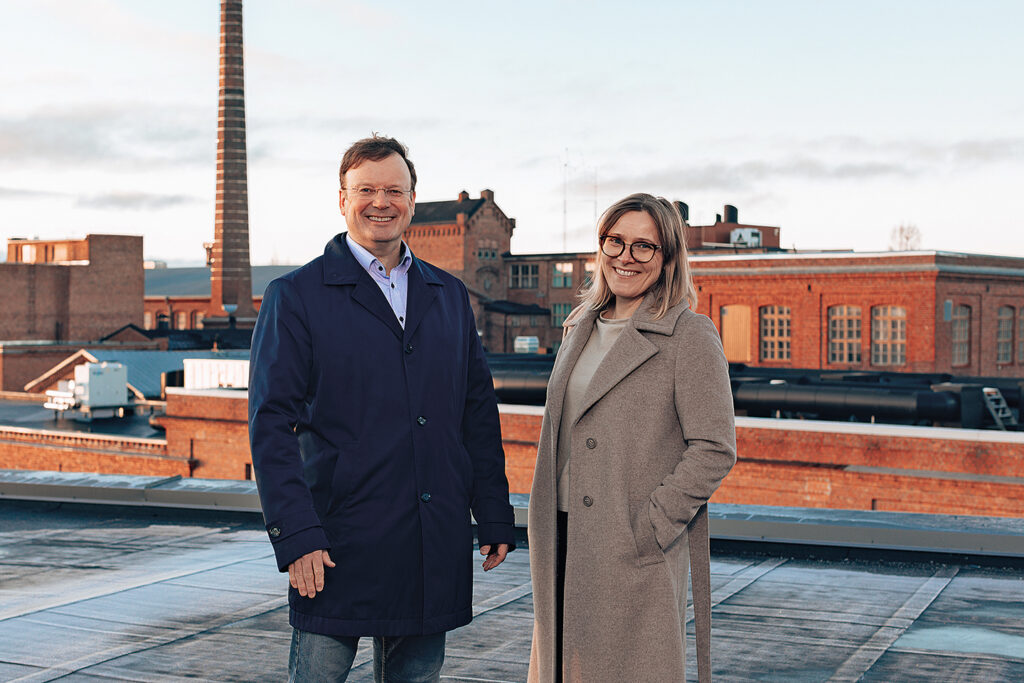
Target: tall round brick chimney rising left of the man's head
231,274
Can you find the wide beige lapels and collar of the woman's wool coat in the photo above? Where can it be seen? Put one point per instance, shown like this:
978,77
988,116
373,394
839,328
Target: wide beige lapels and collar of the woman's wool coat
630,352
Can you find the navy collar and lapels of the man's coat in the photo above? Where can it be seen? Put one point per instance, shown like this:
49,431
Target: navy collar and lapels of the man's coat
342,268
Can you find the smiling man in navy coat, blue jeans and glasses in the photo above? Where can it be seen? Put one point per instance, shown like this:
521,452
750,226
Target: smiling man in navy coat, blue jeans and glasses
374,432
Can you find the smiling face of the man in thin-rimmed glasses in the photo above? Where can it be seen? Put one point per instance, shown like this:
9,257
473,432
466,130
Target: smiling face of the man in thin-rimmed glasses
378,223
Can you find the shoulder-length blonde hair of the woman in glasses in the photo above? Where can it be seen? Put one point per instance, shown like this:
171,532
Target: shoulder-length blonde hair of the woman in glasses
675,283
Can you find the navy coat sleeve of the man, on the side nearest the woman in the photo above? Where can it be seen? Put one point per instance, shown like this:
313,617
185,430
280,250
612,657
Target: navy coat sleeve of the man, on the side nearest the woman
482,436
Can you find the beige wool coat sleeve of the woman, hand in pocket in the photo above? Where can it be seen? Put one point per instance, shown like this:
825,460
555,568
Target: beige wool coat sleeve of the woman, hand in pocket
704,406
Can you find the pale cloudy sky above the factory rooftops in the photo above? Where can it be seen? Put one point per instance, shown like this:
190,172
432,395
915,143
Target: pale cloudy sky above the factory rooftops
837,121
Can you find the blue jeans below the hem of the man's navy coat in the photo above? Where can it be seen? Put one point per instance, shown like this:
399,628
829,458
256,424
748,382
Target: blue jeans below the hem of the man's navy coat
317,658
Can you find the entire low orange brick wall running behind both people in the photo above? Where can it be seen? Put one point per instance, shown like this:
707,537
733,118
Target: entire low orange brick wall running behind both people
781,462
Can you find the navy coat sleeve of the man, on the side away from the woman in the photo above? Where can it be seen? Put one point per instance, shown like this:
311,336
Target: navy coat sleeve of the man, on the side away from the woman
280,372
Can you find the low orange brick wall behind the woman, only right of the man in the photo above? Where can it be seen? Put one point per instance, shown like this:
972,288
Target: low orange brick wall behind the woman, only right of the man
838,465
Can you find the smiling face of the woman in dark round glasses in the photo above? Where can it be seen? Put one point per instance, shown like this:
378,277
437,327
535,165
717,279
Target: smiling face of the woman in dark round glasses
628,279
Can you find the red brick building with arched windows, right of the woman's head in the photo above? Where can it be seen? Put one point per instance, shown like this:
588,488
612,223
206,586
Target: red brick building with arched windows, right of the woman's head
903,312
